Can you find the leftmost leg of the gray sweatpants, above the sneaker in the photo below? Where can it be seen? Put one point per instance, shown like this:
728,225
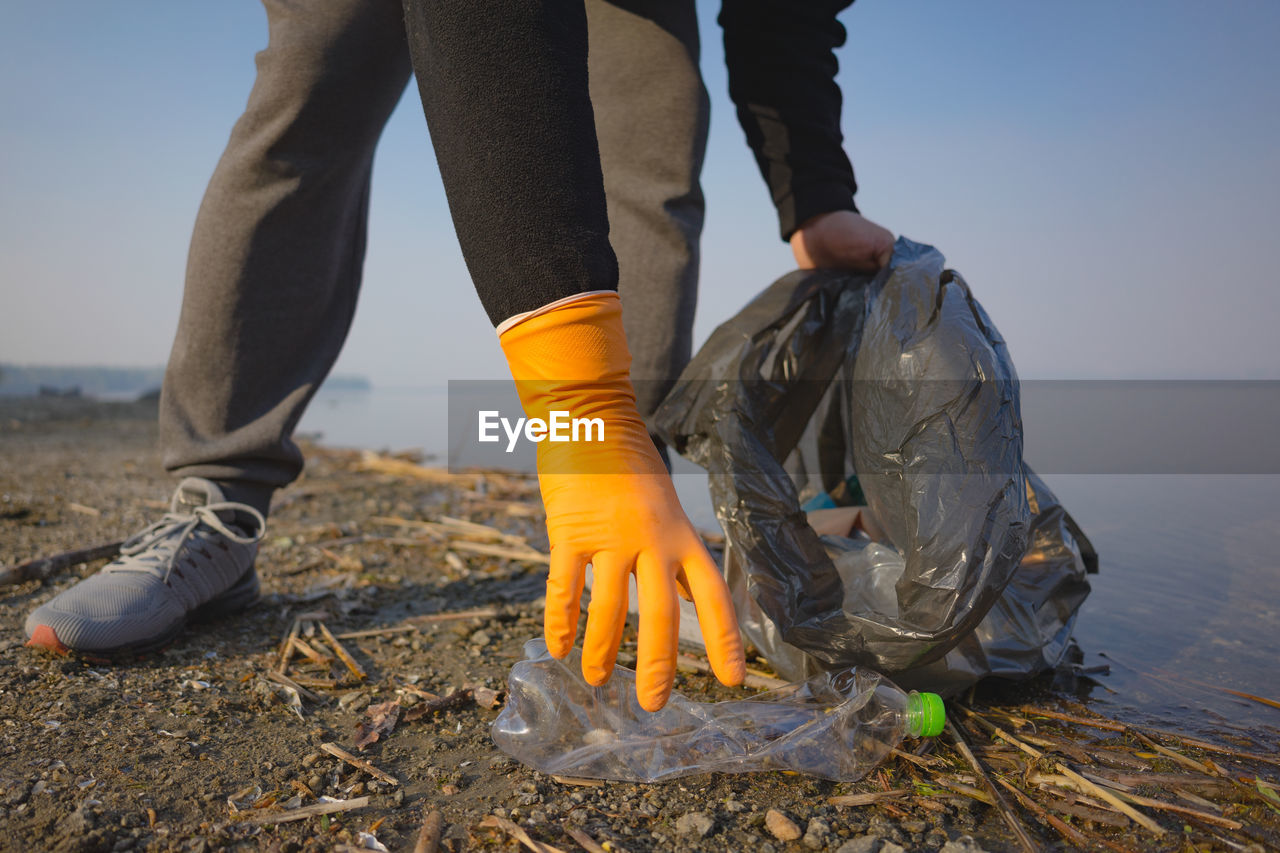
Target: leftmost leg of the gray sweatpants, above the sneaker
277,253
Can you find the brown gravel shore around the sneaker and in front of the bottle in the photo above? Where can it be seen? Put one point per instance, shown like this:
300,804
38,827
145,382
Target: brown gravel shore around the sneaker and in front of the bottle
186,749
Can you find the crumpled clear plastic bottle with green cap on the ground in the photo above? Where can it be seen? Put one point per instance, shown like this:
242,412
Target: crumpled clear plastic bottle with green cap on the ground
836,726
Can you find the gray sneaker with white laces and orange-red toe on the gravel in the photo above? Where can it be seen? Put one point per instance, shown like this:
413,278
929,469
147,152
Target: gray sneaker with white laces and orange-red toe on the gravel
196,562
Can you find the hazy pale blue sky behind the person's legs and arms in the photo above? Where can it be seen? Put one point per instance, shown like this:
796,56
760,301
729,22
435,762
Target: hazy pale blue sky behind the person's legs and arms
1105,176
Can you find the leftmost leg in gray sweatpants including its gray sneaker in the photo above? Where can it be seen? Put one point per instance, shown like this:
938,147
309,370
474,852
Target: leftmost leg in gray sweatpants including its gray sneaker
272,285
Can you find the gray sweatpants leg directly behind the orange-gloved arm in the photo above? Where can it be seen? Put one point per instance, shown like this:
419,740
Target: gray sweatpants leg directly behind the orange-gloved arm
652,115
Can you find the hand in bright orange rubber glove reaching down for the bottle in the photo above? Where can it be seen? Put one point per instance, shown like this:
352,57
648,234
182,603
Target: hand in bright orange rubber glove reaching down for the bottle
612,504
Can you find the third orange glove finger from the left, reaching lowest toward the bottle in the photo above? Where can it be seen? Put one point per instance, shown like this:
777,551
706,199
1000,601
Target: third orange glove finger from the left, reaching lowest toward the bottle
660,633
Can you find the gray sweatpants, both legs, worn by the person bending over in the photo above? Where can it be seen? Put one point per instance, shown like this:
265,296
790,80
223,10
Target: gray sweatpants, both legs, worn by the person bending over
280,241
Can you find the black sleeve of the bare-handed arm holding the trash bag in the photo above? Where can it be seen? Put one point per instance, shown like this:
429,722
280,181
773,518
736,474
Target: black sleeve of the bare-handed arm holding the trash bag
783,79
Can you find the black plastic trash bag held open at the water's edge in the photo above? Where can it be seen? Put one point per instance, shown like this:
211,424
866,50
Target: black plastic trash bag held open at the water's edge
900,385
